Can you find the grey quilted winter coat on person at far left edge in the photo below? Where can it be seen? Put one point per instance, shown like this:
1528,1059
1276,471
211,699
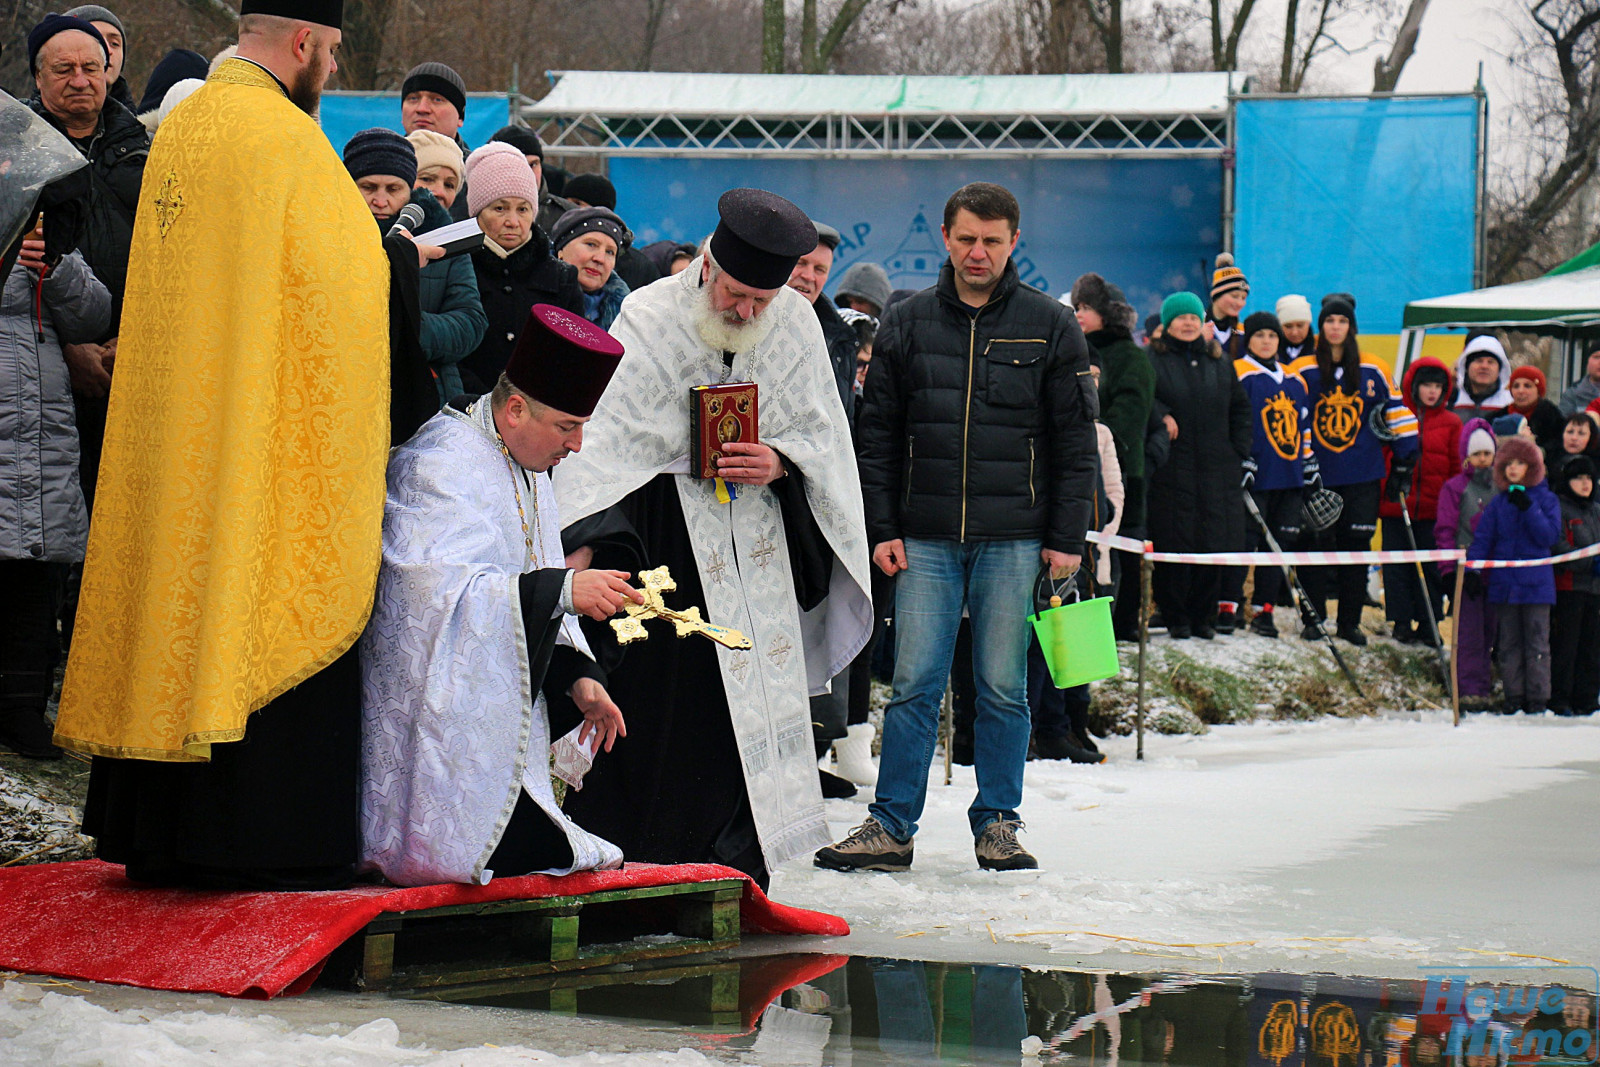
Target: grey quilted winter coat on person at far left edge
42,514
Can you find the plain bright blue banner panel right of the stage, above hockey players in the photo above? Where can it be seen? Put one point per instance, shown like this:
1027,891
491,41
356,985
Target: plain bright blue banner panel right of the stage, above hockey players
1374,198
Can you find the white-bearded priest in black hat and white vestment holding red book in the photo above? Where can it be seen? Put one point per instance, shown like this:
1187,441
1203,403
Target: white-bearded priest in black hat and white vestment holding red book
719,765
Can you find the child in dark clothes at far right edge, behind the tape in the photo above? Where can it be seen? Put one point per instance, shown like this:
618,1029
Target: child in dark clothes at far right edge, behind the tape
1575,625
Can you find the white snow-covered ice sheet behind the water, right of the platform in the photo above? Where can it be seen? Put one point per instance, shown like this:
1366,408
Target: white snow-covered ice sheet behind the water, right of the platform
1268,844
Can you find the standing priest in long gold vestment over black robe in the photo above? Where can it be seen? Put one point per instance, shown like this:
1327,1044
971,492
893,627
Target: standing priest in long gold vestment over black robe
234,554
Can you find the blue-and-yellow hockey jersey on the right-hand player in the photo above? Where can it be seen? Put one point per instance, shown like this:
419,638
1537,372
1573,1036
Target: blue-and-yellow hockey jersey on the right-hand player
1340,431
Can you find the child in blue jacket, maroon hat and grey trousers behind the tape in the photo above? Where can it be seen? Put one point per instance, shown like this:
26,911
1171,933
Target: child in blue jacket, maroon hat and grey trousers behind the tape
1521,524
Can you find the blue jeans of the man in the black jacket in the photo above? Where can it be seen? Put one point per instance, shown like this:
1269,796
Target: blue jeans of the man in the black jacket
994,580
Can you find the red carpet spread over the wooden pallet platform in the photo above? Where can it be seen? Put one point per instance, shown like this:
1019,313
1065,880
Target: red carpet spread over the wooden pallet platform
87,921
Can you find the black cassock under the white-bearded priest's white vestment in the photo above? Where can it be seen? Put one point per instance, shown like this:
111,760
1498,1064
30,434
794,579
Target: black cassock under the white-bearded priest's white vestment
673,791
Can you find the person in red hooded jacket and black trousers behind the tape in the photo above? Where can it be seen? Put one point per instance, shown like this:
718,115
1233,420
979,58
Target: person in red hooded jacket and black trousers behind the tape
1426,391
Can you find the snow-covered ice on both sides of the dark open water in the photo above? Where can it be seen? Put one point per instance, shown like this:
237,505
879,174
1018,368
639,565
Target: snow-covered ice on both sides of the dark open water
1359,847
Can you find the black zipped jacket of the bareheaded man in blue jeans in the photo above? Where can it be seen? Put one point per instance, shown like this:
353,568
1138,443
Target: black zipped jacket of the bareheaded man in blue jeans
978,425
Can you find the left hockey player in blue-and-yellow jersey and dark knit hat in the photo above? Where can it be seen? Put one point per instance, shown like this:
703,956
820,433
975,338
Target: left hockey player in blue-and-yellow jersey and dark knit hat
1281,462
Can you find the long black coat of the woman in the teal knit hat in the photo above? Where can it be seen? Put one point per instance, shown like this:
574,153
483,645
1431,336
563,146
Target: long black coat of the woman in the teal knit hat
1194,498
